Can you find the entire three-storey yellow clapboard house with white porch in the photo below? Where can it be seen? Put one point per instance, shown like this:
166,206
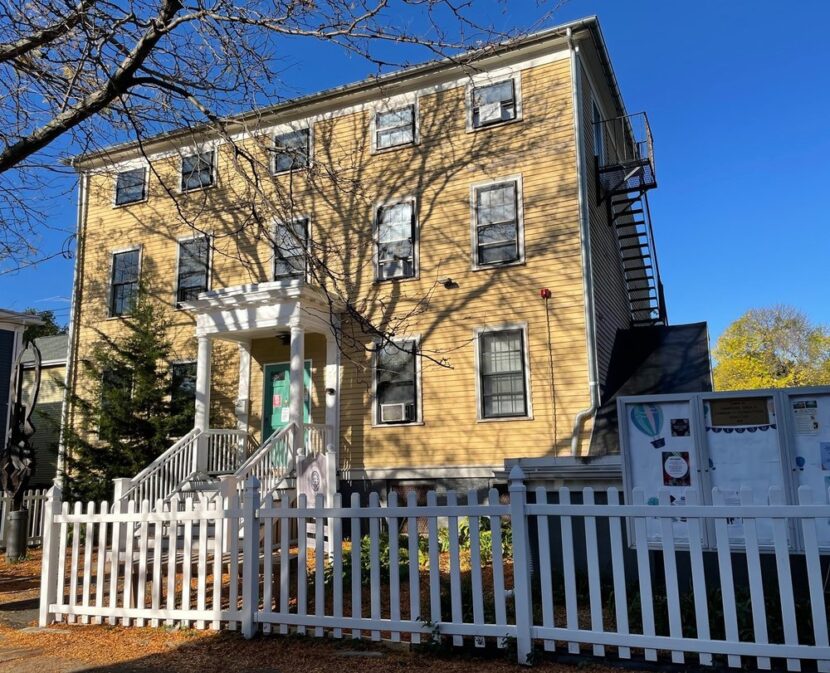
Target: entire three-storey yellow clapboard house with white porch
419,276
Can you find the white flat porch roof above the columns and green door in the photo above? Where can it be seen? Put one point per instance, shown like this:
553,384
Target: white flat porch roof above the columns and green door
243,312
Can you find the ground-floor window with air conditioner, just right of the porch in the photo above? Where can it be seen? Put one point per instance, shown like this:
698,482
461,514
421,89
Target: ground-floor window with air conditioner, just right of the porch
396,383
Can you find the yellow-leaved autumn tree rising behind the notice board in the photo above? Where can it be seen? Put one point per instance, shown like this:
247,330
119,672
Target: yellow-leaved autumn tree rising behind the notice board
774,347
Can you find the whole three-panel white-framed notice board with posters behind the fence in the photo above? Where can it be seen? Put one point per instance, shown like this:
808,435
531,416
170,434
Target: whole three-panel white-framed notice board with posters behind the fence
755,439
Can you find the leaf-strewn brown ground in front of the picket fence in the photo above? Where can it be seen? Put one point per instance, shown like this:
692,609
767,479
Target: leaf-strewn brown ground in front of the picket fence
63,648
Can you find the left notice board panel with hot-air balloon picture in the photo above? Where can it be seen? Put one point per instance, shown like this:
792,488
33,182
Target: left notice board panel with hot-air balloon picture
662,455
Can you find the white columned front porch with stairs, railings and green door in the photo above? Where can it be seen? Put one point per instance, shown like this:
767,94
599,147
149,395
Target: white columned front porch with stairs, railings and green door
286,406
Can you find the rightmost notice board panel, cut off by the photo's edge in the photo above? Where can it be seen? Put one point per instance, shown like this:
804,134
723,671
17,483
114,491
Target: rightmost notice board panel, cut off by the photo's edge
810,463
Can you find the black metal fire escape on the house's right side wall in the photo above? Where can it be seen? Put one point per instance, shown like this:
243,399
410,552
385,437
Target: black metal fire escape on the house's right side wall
625,174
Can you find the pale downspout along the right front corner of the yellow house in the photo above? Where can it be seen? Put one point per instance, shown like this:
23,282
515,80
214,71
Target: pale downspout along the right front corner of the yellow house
585,244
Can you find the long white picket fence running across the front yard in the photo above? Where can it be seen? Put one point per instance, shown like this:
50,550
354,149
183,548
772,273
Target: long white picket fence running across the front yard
187,563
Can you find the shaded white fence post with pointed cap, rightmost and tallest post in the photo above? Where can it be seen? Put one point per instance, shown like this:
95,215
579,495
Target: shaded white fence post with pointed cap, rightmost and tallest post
522,593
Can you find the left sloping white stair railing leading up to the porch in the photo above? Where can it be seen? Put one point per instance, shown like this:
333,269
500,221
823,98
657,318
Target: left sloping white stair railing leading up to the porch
165,474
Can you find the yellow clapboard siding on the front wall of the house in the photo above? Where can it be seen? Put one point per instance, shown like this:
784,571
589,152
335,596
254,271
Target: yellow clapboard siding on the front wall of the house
340,194
